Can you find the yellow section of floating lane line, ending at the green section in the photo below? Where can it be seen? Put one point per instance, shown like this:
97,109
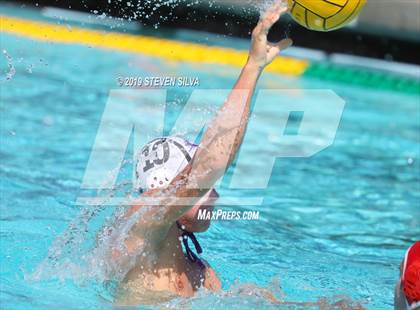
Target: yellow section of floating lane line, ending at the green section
162,48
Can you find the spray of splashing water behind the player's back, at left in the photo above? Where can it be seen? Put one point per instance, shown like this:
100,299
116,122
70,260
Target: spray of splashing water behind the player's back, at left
92,248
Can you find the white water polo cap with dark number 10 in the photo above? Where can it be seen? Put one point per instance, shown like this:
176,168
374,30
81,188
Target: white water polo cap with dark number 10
161,160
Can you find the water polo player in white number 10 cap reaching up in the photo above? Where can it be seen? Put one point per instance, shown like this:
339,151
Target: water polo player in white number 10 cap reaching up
180,176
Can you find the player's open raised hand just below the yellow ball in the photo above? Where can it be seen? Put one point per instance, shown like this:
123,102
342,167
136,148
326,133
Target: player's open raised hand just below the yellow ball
262,52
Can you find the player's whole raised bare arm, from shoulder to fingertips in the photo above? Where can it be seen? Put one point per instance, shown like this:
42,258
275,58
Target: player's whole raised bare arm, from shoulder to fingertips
224,135
